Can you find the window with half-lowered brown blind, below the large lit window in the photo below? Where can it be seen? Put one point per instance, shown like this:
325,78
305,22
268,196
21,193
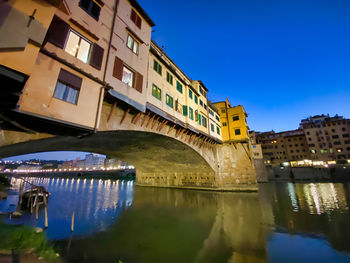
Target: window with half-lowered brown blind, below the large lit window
67,87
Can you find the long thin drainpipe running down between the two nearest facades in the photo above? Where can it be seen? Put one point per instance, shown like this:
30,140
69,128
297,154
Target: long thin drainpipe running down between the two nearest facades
106,87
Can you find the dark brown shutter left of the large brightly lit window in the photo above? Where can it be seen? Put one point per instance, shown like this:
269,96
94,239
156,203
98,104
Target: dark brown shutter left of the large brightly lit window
57,32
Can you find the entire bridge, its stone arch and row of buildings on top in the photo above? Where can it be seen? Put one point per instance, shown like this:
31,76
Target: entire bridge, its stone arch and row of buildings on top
85,75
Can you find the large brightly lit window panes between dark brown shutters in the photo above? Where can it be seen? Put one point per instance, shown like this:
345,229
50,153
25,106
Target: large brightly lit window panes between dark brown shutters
78,46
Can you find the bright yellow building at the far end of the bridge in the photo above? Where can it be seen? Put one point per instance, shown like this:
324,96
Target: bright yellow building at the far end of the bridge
233,122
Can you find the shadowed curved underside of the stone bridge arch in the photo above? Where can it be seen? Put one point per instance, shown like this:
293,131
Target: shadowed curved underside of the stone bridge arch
148,152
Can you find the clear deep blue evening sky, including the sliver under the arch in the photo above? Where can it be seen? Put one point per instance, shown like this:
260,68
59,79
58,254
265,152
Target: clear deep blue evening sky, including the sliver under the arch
283,60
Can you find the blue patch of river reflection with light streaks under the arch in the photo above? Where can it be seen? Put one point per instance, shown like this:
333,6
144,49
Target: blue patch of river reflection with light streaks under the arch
96,206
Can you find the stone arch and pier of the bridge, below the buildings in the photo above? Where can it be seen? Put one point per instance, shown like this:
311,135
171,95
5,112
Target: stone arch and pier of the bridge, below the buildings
164,153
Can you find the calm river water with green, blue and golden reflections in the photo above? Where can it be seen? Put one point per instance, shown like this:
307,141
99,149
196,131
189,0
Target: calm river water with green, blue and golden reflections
115,220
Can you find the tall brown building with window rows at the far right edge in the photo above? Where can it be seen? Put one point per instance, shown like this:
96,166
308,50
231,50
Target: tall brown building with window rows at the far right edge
328,137
